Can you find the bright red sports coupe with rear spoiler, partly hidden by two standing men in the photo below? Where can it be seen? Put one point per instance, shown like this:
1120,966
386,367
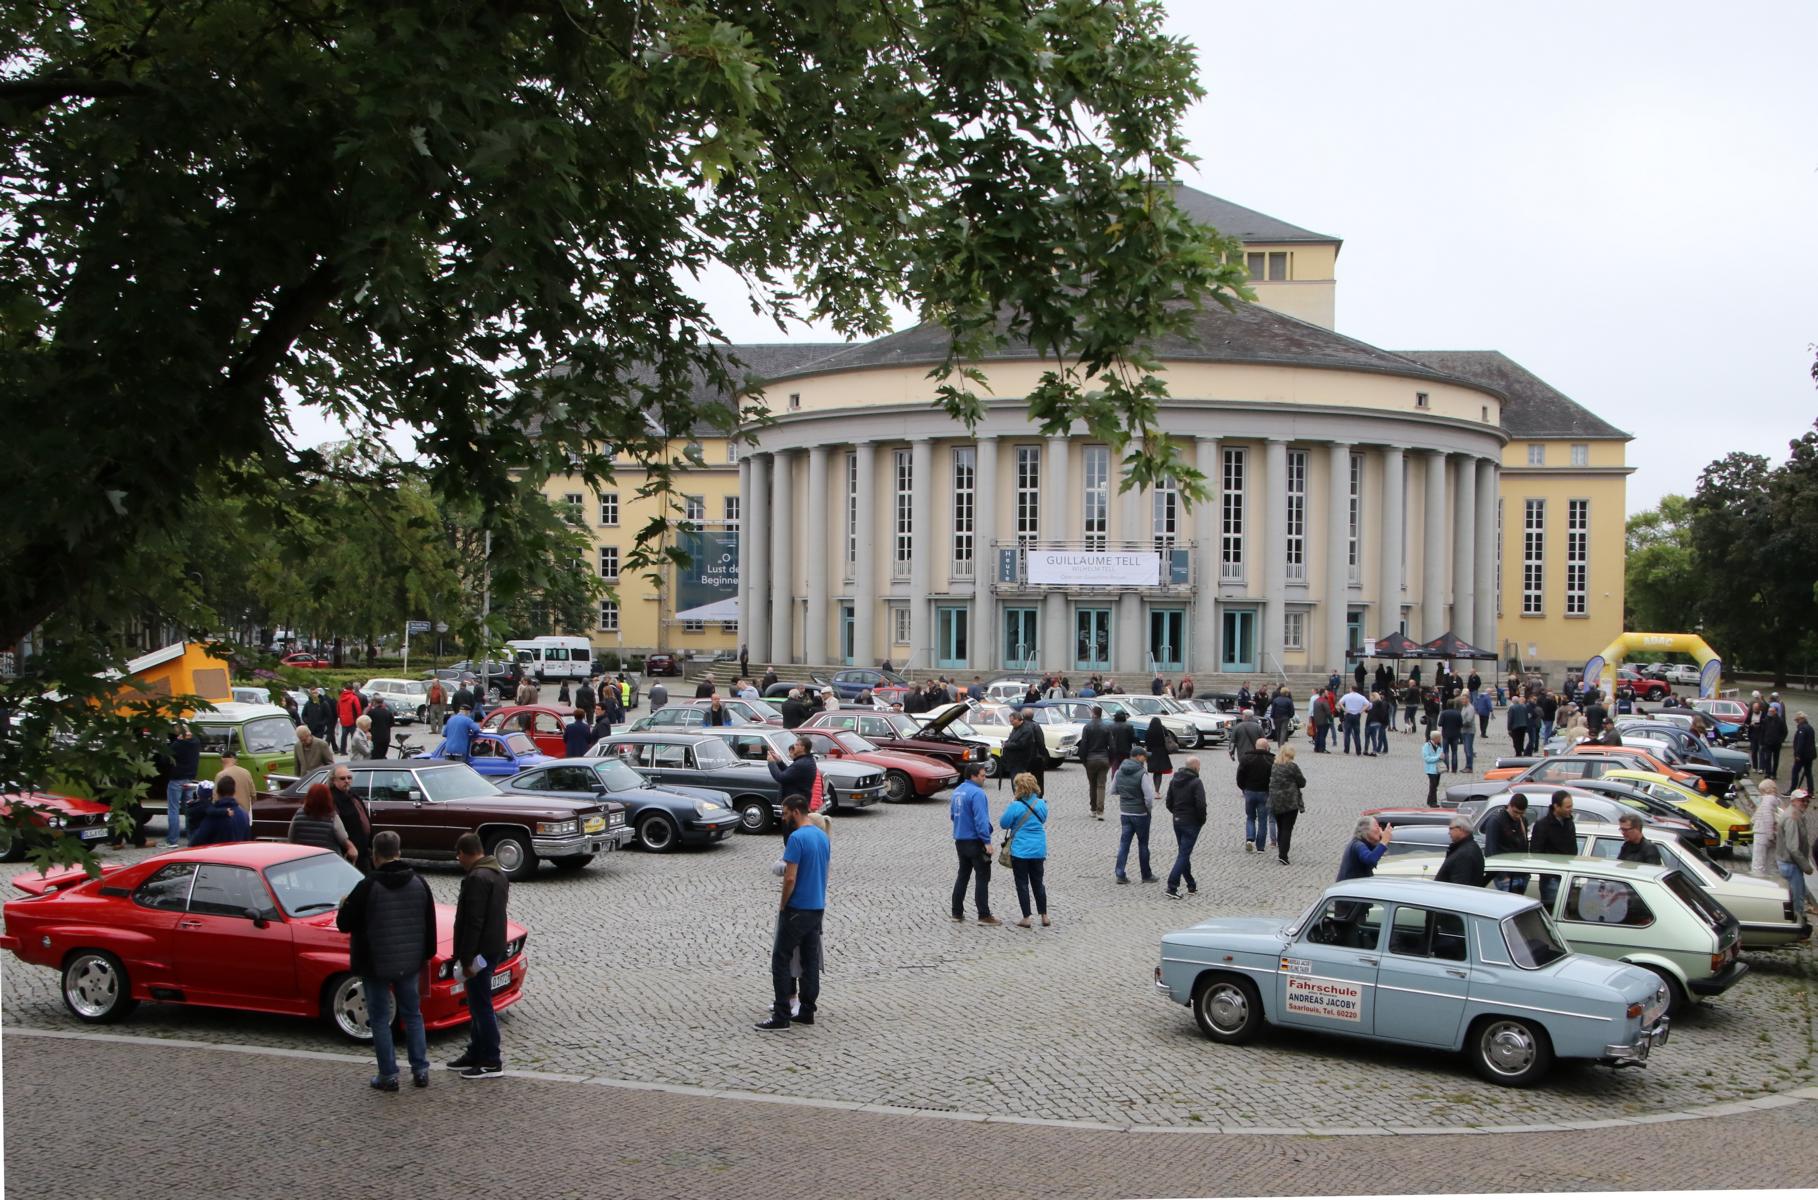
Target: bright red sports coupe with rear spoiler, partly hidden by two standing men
239,926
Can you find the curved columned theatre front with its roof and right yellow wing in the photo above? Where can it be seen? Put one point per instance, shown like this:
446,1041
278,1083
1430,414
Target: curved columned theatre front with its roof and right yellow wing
1355,492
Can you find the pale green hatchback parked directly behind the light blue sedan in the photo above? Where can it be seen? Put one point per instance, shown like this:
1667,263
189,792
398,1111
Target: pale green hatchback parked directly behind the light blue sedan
1650,917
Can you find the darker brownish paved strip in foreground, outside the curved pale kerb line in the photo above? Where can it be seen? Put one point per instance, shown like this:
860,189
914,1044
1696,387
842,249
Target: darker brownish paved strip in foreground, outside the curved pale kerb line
226,1125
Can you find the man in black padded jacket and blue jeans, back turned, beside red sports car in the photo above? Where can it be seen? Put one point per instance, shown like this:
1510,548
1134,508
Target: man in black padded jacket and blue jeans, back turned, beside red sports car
392,925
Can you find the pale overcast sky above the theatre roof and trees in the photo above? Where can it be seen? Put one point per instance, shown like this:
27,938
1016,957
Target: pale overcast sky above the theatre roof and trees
1615,195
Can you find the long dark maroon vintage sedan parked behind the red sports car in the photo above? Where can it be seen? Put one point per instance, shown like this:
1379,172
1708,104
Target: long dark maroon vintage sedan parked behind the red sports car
432,803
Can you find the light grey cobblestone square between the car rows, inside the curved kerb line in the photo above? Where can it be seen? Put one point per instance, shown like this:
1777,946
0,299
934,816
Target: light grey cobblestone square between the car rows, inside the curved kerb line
654,968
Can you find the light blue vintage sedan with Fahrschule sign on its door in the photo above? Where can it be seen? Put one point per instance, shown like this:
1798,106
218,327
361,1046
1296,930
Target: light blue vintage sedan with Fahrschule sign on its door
1423,965
